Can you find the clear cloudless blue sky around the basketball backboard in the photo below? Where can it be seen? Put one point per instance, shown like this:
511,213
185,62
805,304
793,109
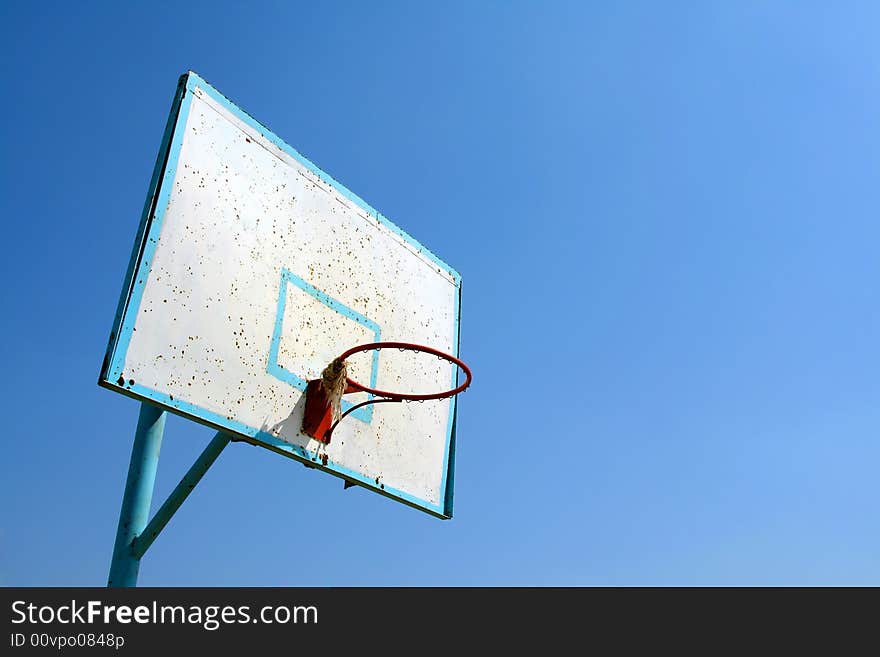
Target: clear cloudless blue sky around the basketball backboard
666,220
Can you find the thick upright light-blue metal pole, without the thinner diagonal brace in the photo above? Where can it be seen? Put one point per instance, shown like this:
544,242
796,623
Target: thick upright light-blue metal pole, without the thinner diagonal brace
138,494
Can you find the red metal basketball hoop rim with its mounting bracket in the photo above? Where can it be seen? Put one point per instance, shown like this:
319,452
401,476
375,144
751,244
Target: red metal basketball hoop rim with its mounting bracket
318,421
